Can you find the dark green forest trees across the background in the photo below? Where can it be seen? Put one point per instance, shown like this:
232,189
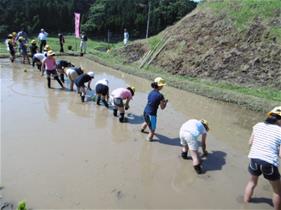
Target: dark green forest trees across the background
97,16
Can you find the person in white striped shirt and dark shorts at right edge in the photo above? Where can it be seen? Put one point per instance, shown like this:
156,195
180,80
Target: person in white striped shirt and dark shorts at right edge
264,156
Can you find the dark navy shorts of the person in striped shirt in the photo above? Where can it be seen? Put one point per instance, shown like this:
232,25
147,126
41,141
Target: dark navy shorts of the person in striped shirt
257,167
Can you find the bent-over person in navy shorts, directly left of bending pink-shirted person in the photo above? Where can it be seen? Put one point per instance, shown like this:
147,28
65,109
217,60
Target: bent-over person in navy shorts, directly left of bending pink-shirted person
102,91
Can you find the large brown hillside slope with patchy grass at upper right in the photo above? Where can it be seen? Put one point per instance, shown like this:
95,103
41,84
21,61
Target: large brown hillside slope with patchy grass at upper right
238,42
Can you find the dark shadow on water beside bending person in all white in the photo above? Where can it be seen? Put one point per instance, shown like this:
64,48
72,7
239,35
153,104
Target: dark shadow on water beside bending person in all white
214,161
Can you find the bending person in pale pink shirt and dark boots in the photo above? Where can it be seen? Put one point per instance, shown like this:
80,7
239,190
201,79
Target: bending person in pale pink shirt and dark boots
117,97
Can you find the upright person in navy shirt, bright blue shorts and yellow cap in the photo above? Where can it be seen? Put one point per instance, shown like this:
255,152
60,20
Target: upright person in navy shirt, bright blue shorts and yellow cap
154,100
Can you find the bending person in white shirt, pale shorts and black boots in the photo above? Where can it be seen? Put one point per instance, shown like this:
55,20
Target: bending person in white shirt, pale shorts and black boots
189,133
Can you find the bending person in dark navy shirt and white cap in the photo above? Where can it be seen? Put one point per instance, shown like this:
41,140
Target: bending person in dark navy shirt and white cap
80,83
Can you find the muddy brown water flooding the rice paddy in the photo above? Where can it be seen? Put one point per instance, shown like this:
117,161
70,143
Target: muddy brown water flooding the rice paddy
59,153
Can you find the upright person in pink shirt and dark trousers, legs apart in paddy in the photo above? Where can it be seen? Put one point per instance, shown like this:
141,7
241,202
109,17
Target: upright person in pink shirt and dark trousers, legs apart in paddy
49,65
